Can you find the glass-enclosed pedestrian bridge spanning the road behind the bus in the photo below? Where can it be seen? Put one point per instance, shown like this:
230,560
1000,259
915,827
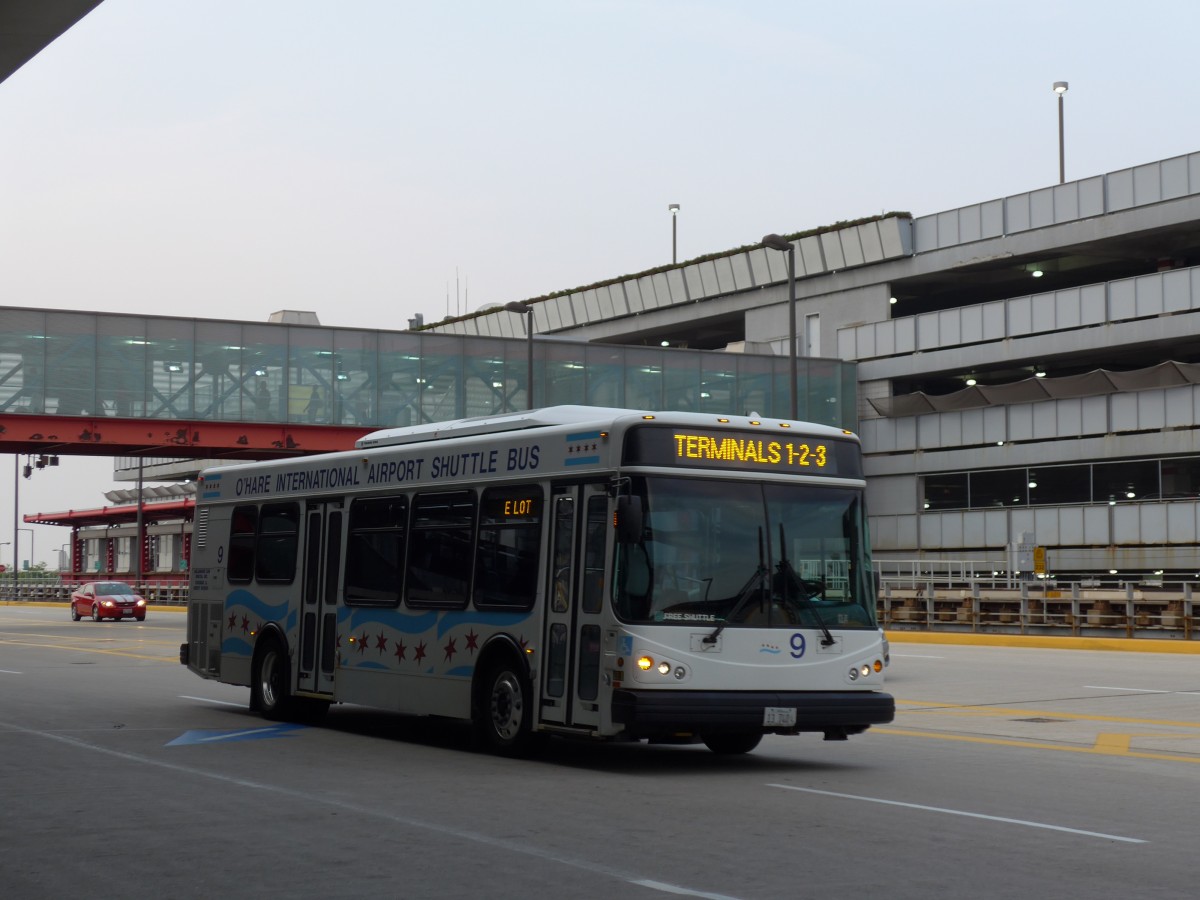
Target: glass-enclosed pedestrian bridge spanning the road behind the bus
136,368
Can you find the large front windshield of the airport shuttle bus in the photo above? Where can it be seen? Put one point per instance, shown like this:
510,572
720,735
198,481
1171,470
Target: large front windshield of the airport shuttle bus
747,555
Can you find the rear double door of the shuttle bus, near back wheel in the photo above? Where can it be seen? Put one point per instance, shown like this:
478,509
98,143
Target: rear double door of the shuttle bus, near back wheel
322,578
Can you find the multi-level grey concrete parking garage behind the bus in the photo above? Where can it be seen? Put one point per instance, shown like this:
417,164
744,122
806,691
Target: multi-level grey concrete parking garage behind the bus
1028,367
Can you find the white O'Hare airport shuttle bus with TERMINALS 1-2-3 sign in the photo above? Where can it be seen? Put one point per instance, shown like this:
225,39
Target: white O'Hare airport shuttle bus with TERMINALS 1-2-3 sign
573,571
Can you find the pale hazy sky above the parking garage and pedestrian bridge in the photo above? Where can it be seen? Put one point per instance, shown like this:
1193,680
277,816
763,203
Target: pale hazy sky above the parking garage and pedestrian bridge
370,160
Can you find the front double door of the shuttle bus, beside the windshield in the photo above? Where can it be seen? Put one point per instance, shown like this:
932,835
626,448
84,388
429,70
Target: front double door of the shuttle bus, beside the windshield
571,677
